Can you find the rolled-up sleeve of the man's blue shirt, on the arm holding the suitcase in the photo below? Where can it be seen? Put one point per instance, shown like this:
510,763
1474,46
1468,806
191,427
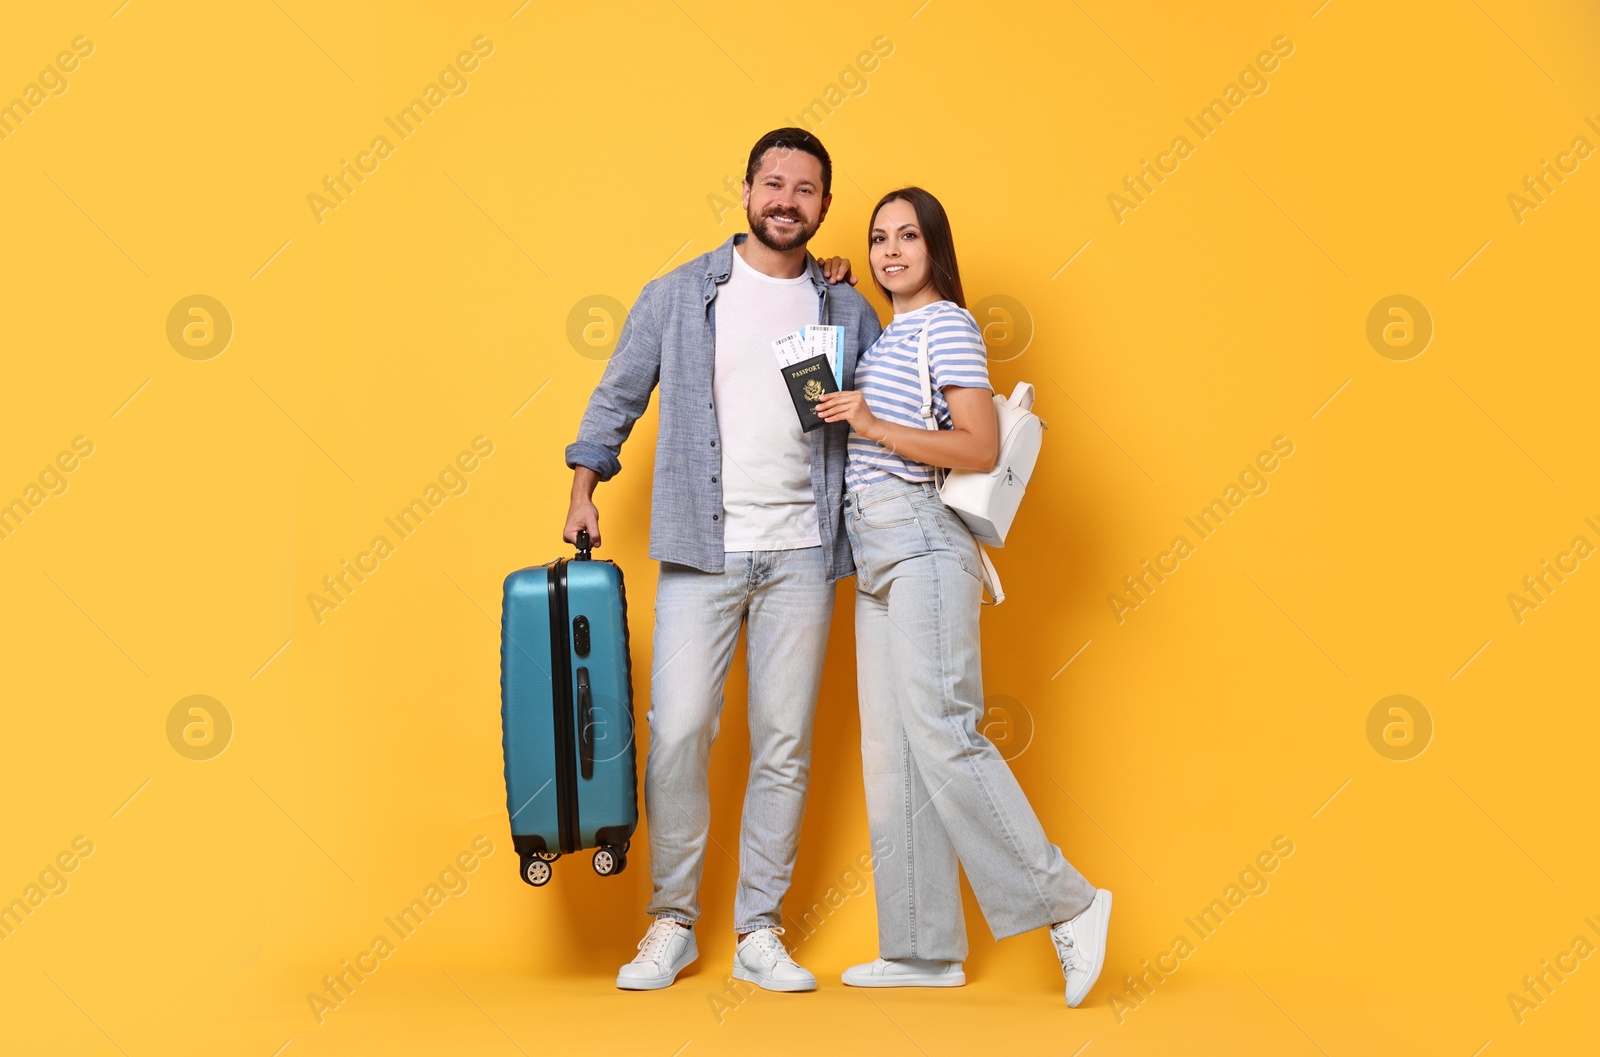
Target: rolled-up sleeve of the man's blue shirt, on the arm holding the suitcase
623,393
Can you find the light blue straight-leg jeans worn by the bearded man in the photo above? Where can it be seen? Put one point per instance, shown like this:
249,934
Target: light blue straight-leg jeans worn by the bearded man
786,604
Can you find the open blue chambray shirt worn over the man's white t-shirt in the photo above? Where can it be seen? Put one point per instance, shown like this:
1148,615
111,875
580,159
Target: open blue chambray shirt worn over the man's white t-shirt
670,340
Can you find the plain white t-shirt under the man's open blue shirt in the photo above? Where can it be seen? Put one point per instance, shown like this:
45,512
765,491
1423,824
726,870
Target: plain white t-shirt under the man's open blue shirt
767,497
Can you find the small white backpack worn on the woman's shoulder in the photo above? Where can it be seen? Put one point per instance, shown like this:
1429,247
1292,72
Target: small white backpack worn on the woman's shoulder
988,501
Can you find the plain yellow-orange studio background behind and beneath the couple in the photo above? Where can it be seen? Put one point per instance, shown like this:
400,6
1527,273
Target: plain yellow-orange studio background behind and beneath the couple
1170,346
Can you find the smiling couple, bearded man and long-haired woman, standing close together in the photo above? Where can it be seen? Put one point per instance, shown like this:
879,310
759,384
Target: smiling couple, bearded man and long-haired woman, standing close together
754,521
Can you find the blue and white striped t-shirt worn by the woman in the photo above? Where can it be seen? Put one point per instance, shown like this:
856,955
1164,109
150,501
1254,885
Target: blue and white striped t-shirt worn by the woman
887,375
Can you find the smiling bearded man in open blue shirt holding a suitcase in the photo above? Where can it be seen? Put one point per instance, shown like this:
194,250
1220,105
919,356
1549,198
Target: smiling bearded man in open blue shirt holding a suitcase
746,522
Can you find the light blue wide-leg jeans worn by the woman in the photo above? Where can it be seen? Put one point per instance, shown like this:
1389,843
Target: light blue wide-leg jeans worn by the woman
938,791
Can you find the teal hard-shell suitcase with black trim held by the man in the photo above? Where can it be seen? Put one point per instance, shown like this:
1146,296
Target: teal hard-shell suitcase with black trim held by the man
567,716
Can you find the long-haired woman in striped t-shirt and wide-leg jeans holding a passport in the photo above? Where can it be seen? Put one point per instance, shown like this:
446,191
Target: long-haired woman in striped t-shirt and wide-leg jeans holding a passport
937,789
